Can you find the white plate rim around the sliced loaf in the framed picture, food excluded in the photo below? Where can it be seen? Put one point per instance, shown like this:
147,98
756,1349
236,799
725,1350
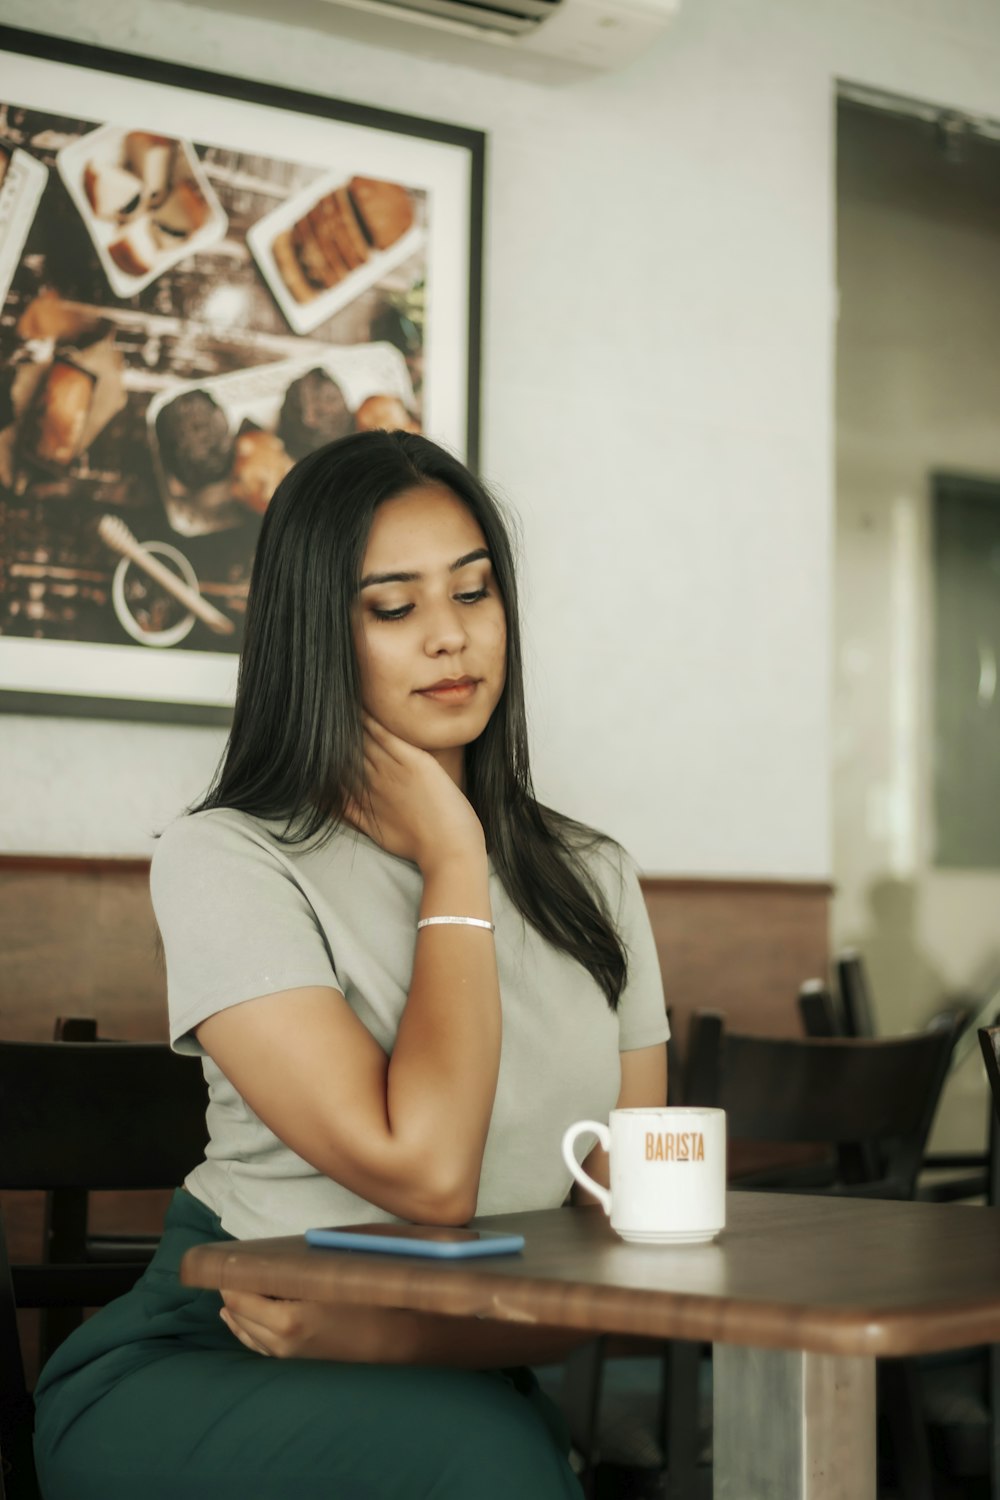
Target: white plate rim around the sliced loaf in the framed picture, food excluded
304,317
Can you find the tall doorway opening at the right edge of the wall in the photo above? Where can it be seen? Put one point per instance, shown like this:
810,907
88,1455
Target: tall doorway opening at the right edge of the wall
917,709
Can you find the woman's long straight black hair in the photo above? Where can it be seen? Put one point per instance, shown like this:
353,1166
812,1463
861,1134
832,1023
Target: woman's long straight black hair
296,746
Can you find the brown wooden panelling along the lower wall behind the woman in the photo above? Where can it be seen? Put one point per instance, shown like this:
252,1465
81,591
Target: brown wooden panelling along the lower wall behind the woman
77,937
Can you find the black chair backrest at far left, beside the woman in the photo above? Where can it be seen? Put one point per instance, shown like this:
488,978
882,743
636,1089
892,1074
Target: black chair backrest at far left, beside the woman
113,1115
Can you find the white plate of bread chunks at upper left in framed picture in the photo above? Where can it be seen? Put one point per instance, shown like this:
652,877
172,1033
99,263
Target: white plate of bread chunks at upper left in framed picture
173,215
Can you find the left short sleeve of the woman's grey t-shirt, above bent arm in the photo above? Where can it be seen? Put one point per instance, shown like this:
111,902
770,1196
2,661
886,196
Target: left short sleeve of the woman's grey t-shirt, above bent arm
233,920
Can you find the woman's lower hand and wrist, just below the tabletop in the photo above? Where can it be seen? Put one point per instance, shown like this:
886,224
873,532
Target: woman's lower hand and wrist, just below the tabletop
310,1330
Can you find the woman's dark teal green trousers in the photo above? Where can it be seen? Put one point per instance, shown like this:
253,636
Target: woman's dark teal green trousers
155,1400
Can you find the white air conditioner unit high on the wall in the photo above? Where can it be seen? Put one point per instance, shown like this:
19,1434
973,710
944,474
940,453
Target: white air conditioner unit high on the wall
578,35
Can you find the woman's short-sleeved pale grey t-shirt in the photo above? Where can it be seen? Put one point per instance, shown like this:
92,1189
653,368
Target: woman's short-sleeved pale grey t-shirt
245,916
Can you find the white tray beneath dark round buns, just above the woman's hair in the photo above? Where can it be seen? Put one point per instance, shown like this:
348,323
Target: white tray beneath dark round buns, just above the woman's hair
256,398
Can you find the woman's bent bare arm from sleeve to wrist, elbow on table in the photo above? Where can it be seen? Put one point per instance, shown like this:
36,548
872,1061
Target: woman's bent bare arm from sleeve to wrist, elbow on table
407,1130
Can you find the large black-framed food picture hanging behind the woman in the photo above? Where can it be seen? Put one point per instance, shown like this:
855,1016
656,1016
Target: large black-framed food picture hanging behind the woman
202,281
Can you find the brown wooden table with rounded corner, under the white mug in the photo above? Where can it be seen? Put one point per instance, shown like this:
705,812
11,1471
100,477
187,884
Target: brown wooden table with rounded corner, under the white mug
800,1297
